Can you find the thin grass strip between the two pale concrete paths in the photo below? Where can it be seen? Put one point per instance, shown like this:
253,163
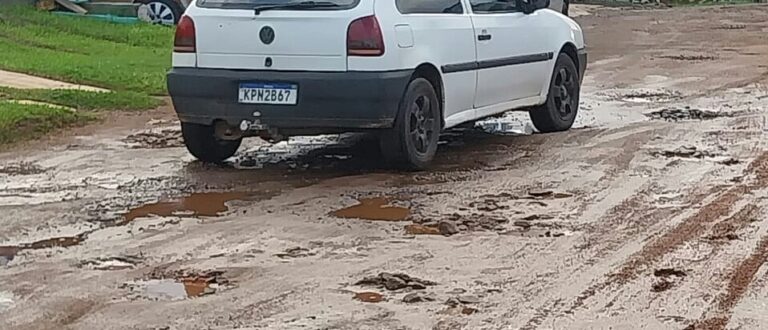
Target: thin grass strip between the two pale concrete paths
84,100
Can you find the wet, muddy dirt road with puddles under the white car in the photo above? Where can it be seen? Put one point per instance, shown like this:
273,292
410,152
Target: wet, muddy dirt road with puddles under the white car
650,214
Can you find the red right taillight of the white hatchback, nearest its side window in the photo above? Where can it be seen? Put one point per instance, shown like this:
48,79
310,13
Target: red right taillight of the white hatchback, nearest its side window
364,37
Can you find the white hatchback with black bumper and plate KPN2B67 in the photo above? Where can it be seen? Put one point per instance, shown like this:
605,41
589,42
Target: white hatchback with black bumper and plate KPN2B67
405,69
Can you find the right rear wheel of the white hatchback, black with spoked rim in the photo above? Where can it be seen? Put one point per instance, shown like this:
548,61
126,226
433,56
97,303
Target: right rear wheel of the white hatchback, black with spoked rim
412,143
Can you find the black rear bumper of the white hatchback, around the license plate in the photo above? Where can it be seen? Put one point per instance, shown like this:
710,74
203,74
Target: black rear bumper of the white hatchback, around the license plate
331,100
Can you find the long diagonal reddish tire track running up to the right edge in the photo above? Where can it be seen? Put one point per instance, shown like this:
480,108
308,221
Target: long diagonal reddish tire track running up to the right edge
693,227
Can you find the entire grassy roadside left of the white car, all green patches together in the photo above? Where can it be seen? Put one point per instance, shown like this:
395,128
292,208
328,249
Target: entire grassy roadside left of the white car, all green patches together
128,59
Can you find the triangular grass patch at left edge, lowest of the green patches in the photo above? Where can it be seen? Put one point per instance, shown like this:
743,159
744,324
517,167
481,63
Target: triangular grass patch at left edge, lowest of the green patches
25,121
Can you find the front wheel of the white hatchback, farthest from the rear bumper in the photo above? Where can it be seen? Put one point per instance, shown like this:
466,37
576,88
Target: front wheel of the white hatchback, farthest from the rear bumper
562,105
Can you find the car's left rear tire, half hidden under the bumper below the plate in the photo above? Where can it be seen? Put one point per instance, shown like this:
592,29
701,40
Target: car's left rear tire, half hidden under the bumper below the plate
202,143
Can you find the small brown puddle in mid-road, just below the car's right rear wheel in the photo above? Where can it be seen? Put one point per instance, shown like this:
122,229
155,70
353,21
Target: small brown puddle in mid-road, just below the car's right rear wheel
376,209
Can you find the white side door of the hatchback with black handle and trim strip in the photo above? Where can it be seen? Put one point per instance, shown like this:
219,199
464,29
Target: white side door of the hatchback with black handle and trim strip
512,51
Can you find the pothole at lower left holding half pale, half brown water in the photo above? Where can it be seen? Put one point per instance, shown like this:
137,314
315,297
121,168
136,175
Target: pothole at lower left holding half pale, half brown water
178,285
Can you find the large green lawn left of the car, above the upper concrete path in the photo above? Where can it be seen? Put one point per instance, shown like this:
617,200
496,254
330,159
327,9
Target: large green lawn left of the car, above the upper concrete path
121,57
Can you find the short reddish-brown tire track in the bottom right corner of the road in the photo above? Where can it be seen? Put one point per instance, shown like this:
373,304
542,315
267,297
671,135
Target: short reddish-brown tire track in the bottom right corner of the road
738,283
